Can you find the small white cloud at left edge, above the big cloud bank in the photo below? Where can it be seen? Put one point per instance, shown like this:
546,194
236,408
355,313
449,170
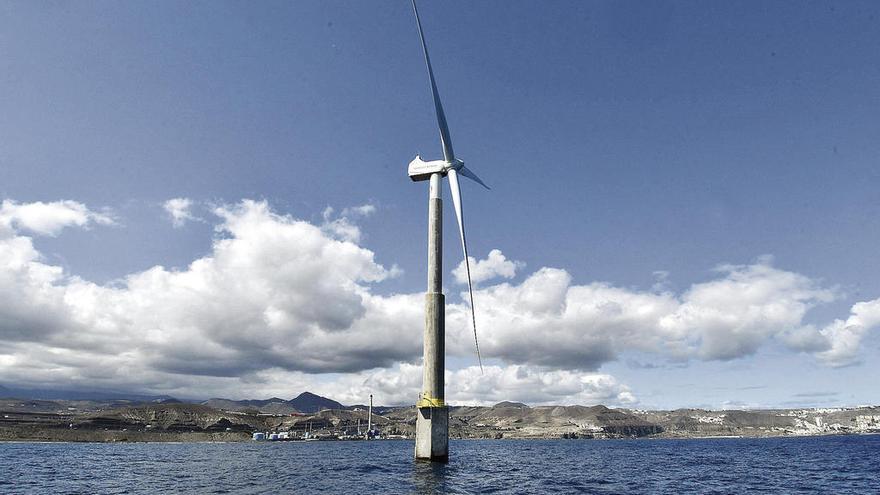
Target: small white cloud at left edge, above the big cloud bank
48,219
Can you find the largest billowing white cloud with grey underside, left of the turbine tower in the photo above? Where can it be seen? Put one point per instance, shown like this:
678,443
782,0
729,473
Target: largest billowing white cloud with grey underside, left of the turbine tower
274,292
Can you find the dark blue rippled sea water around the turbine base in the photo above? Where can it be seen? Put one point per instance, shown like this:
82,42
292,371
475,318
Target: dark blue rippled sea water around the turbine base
839,464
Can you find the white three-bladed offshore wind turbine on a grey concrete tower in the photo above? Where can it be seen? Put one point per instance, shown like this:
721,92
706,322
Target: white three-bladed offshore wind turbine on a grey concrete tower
432,422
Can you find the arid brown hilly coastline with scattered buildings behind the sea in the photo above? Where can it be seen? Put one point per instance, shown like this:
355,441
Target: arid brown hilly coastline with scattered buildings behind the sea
236,421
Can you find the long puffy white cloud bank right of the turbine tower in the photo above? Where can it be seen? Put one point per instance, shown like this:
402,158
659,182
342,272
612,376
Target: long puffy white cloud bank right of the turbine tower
548,321
